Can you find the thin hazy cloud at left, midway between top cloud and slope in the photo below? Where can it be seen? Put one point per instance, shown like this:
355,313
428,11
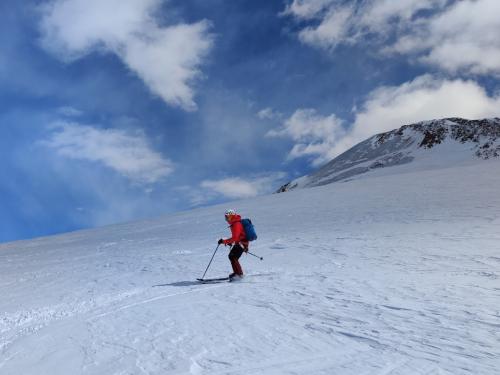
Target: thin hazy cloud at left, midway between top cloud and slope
127,154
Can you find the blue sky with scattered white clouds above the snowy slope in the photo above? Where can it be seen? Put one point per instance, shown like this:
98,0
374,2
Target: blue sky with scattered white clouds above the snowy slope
115,110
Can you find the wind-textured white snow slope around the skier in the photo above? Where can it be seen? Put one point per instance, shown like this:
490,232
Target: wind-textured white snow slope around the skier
396,274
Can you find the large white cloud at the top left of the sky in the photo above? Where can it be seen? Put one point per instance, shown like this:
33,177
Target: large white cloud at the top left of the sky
167,59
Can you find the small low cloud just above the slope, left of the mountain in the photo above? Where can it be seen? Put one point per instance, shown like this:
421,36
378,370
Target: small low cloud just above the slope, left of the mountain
237,187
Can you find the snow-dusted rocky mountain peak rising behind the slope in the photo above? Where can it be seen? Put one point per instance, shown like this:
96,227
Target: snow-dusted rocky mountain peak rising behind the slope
429,144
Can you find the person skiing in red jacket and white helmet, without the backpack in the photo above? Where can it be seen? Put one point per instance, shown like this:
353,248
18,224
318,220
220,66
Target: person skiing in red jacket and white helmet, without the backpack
238,242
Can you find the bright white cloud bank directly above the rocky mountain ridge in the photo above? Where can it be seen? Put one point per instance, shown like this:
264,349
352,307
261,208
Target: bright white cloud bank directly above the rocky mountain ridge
387,108
